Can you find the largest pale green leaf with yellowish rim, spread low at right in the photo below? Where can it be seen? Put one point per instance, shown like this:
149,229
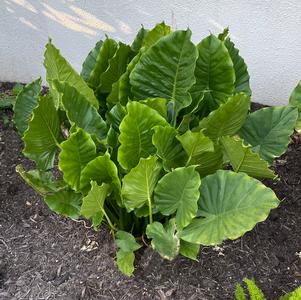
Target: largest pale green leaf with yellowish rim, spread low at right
230,205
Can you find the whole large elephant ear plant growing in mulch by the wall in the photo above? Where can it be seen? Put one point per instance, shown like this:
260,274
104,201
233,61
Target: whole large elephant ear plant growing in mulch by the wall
155,140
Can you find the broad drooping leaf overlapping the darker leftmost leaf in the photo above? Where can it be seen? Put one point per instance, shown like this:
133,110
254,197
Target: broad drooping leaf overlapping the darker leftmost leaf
43,135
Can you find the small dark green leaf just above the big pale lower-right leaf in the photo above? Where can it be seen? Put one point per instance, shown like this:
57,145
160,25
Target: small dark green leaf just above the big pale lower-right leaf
210,162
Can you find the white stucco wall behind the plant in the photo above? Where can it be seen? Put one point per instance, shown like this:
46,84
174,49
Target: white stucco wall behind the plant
268,33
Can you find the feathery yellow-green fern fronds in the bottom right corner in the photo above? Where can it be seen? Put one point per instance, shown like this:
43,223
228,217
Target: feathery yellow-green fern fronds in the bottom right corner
255,293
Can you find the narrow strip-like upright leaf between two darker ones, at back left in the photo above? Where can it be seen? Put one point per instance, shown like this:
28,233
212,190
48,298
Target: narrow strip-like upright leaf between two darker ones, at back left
105,53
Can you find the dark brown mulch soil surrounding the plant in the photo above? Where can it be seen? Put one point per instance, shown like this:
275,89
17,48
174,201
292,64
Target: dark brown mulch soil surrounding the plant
46,256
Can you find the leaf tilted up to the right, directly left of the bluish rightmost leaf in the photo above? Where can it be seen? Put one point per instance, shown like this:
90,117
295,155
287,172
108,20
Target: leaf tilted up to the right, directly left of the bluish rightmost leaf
227,119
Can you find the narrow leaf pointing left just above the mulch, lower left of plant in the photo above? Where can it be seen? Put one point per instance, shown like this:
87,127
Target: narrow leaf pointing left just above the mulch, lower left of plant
42,182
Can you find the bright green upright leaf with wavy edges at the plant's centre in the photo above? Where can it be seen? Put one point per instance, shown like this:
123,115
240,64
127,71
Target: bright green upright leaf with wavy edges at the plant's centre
136,134
